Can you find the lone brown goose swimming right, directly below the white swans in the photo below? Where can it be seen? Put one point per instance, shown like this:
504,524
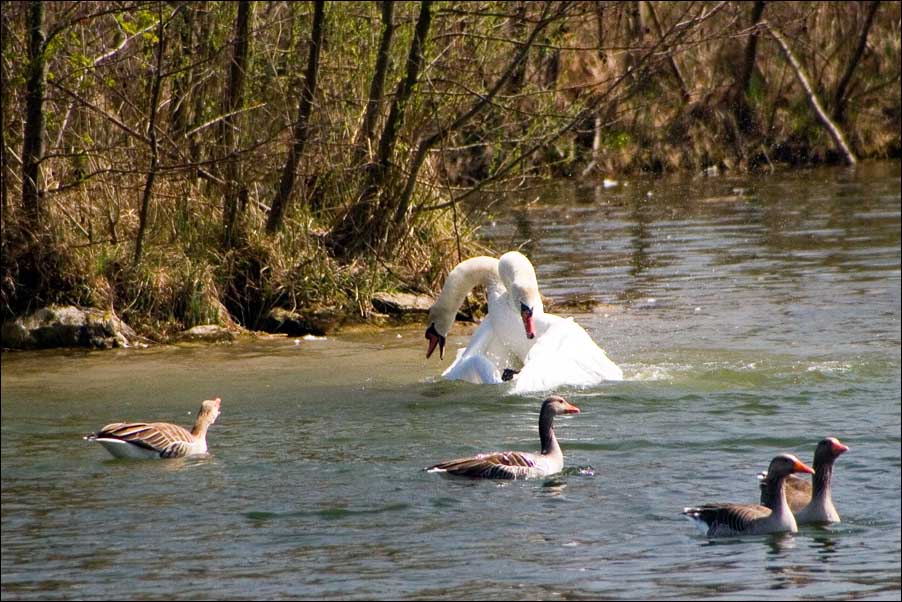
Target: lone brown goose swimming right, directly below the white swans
517,465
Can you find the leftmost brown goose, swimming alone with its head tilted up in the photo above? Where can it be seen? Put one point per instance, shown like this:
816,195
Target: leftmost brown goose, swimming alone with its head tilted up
158,439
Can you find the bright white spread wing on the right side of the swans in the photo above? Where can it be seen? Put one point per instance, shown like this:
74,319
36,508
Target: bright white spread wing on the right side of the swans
564,354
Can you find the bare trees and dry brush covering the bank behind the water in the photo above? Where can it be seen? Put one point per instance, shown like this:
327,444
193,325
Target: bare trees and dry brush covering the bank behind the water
183,163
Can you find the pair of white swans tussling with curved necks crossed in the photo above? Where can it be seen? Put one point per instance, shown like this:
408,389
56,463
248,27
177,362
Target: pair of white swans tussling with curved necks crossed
517,333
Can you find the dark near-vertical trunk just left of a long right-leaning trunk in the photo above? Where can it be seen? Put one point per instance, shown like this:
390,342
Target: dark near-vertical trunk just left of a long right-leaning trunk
229,138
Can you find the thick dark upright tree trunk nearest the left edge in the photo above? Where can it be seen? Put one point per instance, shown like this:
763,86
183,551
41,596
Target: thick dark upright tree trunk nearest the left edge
33,143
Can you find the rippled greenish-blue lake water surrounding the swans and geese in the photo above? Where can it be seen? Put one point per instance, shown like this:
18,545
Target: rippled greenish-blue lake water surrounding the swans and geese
751,316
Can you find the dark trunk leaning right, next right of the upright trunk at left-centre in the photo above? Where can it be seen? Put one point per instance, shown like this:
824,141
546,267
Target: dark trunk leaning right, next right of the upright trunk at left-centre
301,132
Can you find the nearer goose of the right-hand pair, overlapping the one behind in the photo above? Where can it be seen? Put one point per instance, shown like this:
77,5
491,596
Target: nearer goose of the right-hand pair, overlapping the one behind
720,520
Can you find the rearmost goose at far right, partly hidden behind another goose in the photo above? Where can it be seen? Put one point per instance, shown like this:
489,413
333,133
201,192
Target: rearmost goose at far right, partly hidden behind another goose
812,507
